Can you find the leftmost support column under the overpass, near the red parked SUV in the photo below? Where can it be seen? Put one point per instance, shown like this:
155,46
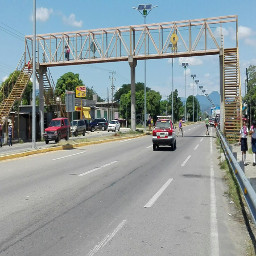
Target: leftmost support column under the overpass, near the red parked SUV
41,70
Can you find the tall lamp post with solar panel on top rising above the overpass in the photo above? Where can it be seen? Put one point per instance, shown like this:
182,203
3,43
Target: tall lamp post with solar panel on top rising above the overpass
145,9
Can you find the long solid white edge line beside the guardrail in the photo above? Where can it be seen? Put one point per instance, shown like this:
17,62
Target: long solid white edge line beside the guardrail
214,224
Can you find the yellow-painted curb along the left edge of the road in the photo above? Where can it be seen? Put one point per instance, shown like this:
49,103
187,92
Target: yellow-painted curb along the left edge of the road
64,147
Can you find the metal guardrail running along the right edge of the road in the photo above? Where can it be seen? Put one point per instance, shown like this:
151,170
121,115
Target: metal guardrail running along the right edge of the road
246,187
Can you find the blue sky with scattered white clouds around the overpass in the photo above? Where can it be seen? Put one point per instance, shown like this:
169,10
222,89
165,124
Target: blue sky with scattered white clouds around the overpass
65,16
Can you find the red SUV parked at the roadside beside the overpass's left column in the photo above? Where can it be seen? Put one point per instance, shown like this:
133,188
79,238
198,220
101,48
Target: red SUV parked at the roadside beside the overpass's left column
58,129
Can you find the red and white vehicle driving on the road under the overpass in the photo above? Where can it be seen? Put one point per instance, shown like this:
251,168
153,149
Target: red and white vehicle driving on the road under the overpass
164,134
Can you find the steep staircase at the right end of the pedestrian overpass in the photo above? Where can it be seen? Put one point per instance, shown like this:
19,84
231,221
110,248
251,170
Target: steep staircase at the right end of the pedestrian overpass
232,94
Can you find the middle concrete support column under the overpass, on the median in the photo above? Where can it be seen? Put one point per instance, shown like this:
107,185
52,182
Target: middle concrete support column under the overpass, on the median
133,64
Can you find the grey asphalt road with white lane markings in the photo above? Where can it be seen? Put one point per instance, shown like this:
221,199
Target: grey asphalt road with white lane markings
119,198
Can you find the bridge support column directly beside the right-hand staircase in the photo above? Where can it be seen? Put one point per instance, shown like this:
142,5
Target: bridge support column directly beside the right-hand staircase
222,110
